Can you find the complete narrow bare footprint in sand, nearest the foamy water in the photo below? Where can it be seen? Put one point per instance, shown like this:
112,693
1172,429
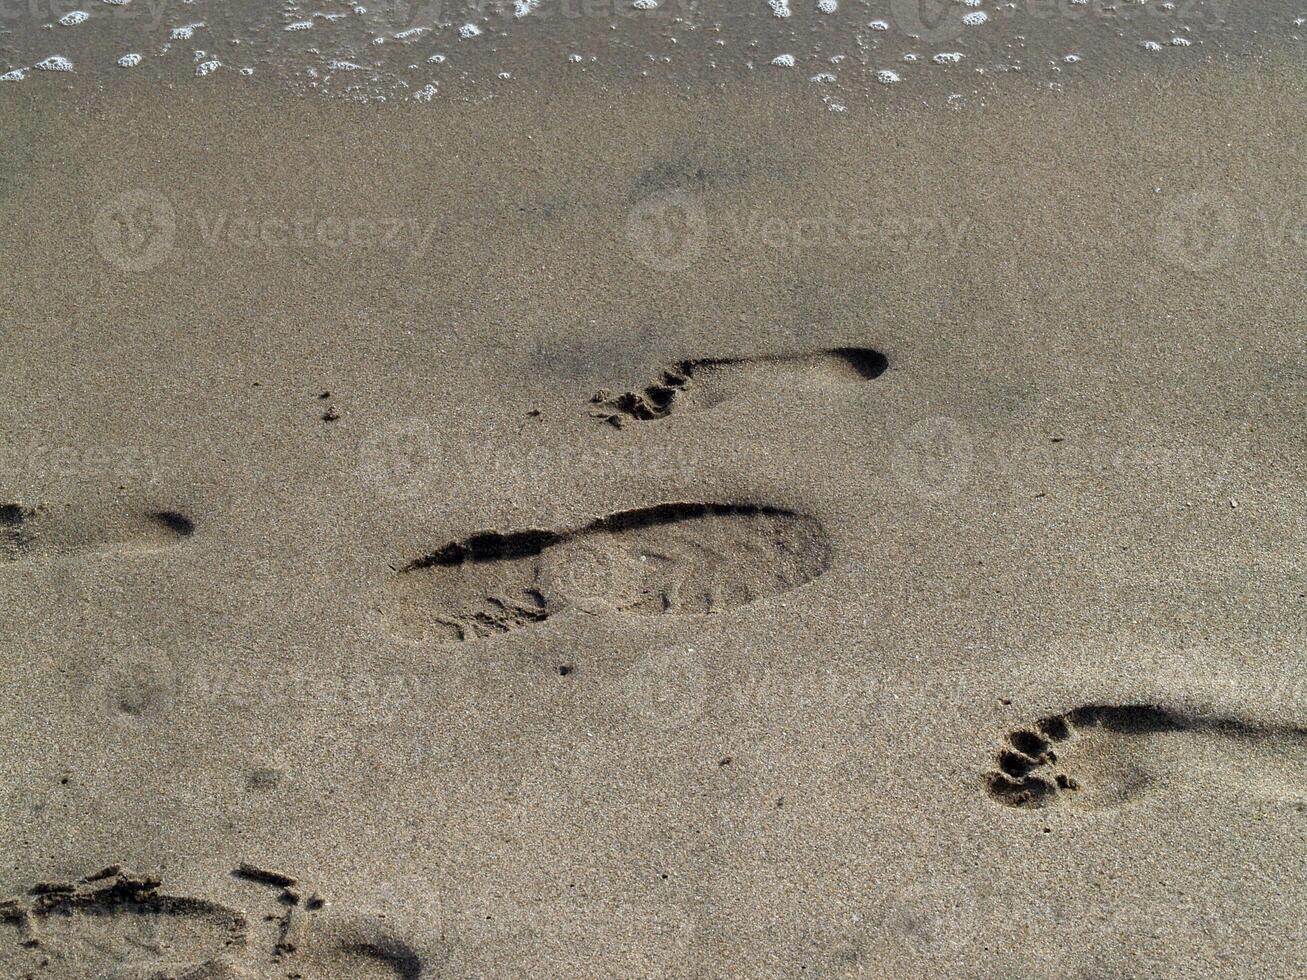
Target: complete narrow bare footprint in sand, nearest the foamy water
695,386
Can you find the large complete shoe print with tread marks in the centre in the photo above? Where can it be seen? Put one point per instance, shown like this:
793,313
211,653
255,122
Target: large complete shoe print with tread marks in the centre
675,559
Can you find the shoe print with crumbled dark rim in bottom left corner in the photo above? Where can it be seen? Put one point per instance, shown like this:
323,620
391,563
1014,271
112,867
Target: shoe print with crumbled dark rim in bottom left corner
120,927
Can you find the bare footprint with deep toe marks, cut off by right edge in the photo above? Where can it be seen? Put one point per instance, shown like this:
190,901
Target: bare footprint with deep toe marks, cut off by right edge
1104,756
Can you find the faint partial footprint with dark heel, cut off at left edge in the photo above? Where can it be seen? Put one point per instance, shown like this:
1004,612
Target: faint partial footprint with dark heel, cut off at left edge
49,531
